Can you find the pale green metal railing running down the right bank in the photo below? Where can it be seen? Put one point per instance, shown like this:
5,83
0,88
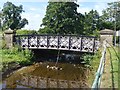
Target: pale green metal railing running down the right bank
97,80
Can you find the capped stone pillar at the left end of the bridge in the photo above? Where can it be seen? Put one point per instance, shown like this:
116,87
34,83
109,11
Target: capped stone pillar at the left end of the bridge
9,38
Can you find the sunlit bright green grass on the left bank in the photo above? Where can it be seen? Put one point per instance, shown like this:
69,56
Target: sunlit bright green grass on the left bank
10,55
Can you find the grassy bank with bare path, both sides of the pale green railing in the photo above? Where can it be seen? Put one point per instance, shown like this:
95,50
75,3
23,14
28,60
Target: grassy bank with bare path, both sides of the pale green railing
112,68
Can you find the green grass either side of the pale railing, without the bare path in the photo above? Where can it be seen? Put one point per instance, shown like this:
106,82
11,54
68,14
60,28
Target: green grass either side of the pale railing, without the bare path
113,66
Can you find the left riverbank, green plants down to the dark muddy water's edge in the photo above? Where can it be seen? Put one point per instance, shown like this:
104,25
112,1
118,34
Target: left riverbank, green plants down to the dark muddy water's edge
13,59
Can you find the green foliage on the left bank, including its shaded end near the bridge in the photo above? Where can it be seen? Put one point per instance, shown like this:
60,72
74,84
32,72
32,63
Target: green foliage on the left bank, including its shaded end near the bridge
23,57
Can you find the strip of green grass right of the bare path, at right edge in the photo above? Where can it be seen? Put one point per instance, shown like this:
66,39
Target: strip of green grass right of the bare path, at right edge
114,61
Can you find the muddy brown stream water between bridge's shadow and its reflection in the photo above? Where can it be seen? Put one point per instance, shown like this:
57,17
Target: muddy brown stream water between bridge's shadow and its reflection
64,71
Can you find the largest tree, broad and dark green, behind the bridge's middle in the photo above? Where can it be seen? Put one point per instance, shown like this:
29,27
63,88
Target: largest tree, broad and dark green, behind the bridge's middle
62,18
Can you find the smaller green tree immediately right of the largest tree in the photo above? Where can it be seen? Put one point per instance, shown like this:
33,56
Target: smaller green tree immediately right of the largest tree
91,22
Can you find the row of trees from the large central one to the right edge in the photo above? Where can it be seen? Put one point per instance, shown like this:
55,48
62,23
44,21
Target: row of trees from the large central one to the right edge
63,18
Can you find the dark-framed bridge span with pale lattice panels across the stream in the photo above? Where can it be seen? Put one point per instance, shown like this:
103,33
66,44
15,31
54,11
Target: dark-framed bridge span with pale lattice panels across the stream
58,42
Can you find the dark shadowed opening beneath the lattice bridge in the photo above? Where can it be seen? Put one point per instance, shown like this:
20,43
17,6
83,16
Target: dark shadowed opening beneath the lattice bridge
51,55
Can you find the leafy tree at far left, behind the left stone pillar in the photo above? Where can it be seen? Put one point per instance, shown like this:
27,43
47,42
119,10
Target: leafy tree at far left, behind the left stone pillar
12,16
